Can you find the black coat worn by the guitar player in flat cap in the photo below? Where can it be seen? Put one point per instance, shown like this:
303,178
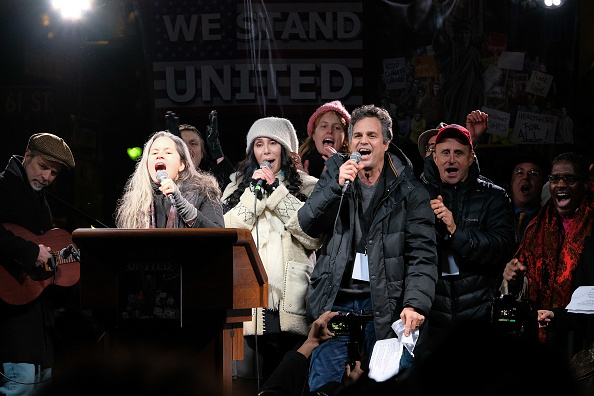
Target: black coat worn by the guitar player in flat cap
24,330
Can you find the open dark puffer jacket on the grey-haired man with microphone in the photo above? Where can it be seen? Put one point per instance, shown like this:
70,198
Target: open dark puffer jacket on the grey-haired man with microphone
400,245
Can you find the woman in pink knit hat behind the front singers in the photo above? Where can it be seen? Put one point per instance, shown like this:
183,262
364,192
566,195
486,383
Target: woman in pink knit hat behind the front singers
327,135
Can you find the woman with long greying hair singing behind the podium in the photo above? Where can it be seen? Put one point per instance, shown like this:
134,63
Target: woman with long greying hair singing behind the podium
184,198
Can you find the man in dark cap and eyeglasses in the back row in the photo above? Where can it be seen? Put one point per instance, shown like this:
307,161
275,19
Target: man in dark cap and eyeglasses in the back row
526,188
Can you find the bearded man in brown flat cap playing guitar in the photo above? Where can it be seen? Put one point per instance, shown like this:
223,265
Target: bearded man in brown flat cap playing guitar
26,348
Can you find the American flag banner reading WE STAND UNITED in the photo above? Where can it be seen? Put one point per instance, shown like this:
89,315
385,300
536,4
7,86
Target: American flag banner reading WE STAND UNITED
255,56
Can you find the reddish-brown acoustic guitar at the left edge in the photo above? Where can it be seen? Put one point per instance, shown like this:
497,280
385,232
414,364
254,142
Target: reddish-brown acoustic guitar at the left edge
19,287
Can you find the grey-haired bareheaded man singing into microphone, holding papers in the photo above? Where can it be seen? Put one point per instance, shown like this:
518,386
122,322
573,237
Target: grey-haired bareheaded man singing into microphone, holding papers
379,254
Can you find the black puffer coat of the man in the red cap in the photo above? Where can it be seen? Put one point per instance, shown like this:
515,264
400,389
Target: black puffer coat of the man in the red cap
483,243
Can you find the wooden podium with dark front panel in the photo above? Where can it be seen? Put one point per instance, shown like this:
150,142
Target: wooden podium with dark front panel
215,275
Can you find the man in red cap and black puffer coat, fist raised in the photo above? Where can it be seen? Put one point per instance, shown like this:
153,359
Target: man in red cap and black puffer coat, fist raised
474,227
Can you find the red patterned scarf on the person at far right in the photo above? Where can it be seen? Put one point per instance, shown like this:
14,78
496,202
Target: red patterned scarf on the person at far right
551,254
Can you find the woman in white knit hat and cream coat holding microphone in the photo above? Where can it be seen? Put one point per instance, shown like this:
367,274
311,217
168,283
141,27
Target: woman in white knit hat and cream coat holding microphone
270,212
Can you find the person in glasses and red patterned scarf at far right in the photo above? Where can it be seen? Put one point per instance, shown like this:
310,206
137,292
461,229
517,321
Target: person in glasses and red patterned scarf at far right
556,255
